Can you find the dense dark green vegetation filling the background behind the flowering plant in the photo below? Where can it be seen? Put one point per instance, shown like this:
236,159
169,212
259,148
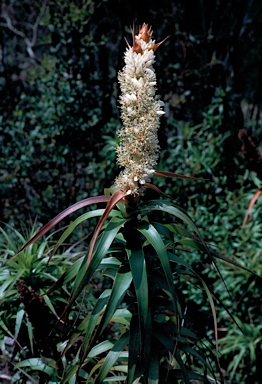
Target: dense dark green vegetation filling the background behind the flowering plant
59,116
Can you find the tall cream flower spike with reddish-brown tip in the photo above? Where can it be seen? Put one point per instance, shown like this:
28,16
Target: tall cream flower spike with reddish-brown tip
138,149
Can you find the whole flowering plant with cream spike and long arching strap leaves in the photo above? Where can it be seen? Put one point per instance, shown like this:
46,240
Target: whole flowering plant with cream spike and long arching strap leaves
137,330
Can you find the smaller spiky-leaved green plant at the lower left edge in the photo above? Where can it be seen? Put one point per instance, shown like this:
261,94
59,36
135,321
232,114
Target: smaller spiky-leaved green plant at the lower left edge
28,316
